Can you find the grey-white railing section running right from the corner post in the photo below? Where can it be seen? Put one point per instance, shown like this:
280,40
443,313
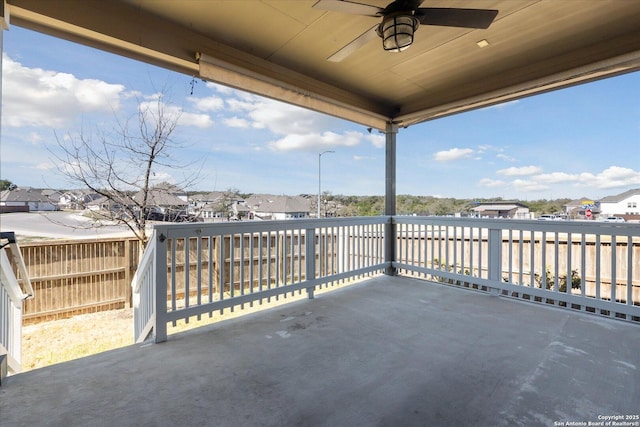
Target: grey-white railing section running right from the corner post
588,266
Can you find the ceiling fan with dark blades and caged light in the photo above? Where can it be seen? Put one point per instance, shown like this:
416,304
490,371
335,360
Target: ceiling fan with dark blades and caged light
400,20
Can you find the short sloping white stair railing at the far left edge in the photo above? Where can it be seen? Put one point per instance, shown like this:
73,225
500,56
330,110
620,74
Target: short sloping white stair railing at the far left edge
12,273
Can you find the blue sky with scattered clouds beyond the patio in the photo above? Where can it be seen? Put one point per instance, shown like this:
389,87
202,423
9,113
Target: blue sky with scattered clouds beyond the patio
581,141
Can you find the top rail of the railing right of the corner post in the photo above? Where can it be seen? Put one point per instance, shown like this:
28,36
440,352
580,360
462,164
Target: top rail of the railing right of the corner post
588,227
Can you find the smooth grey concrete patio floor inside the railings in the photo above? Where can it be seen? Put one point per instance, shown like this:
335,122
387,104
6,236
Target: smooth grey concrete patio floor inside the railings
385,352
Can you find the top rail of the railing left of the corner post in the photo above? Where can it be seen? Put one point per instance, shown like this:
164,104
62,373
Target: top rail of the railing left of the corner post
204,229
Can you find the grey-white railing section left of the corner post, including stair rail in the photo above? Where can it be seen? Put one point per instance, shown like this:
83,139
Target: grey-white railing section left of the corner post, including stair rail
210,267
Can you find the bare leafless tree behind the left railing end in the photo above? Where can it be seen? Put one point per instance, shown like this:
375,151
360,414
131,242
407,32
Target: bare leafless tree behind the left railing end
121,165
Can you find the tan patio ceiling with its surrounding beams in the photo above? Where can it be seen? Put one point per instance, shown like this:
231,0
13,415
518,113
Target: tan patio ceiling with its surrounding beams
280,49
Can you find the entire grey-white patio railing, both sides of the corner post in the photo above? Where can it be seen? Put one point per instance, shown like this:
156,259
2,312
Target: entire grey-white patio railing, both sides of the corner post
193,269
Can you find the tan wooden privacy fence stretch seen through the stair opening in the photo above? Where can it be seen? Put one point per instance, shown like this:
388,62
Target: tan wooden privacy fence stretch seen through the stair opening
79,276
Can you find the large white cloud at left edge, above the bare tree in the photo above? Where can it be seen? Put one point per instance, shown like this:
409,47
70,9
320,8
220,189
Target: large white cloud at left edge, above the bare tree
37,97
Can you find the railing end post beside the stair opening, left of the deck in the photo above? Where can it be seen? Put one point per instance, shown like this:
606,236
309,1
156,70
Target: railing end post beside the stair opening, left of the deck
160,286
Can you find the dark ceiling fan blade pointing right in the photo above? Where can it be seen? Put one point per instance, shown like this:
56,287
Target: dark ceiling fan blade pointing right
450,17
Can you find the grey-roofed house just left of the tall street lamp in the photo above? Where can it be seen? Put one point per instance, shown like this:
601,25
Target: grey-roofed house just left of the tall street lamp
270,207
